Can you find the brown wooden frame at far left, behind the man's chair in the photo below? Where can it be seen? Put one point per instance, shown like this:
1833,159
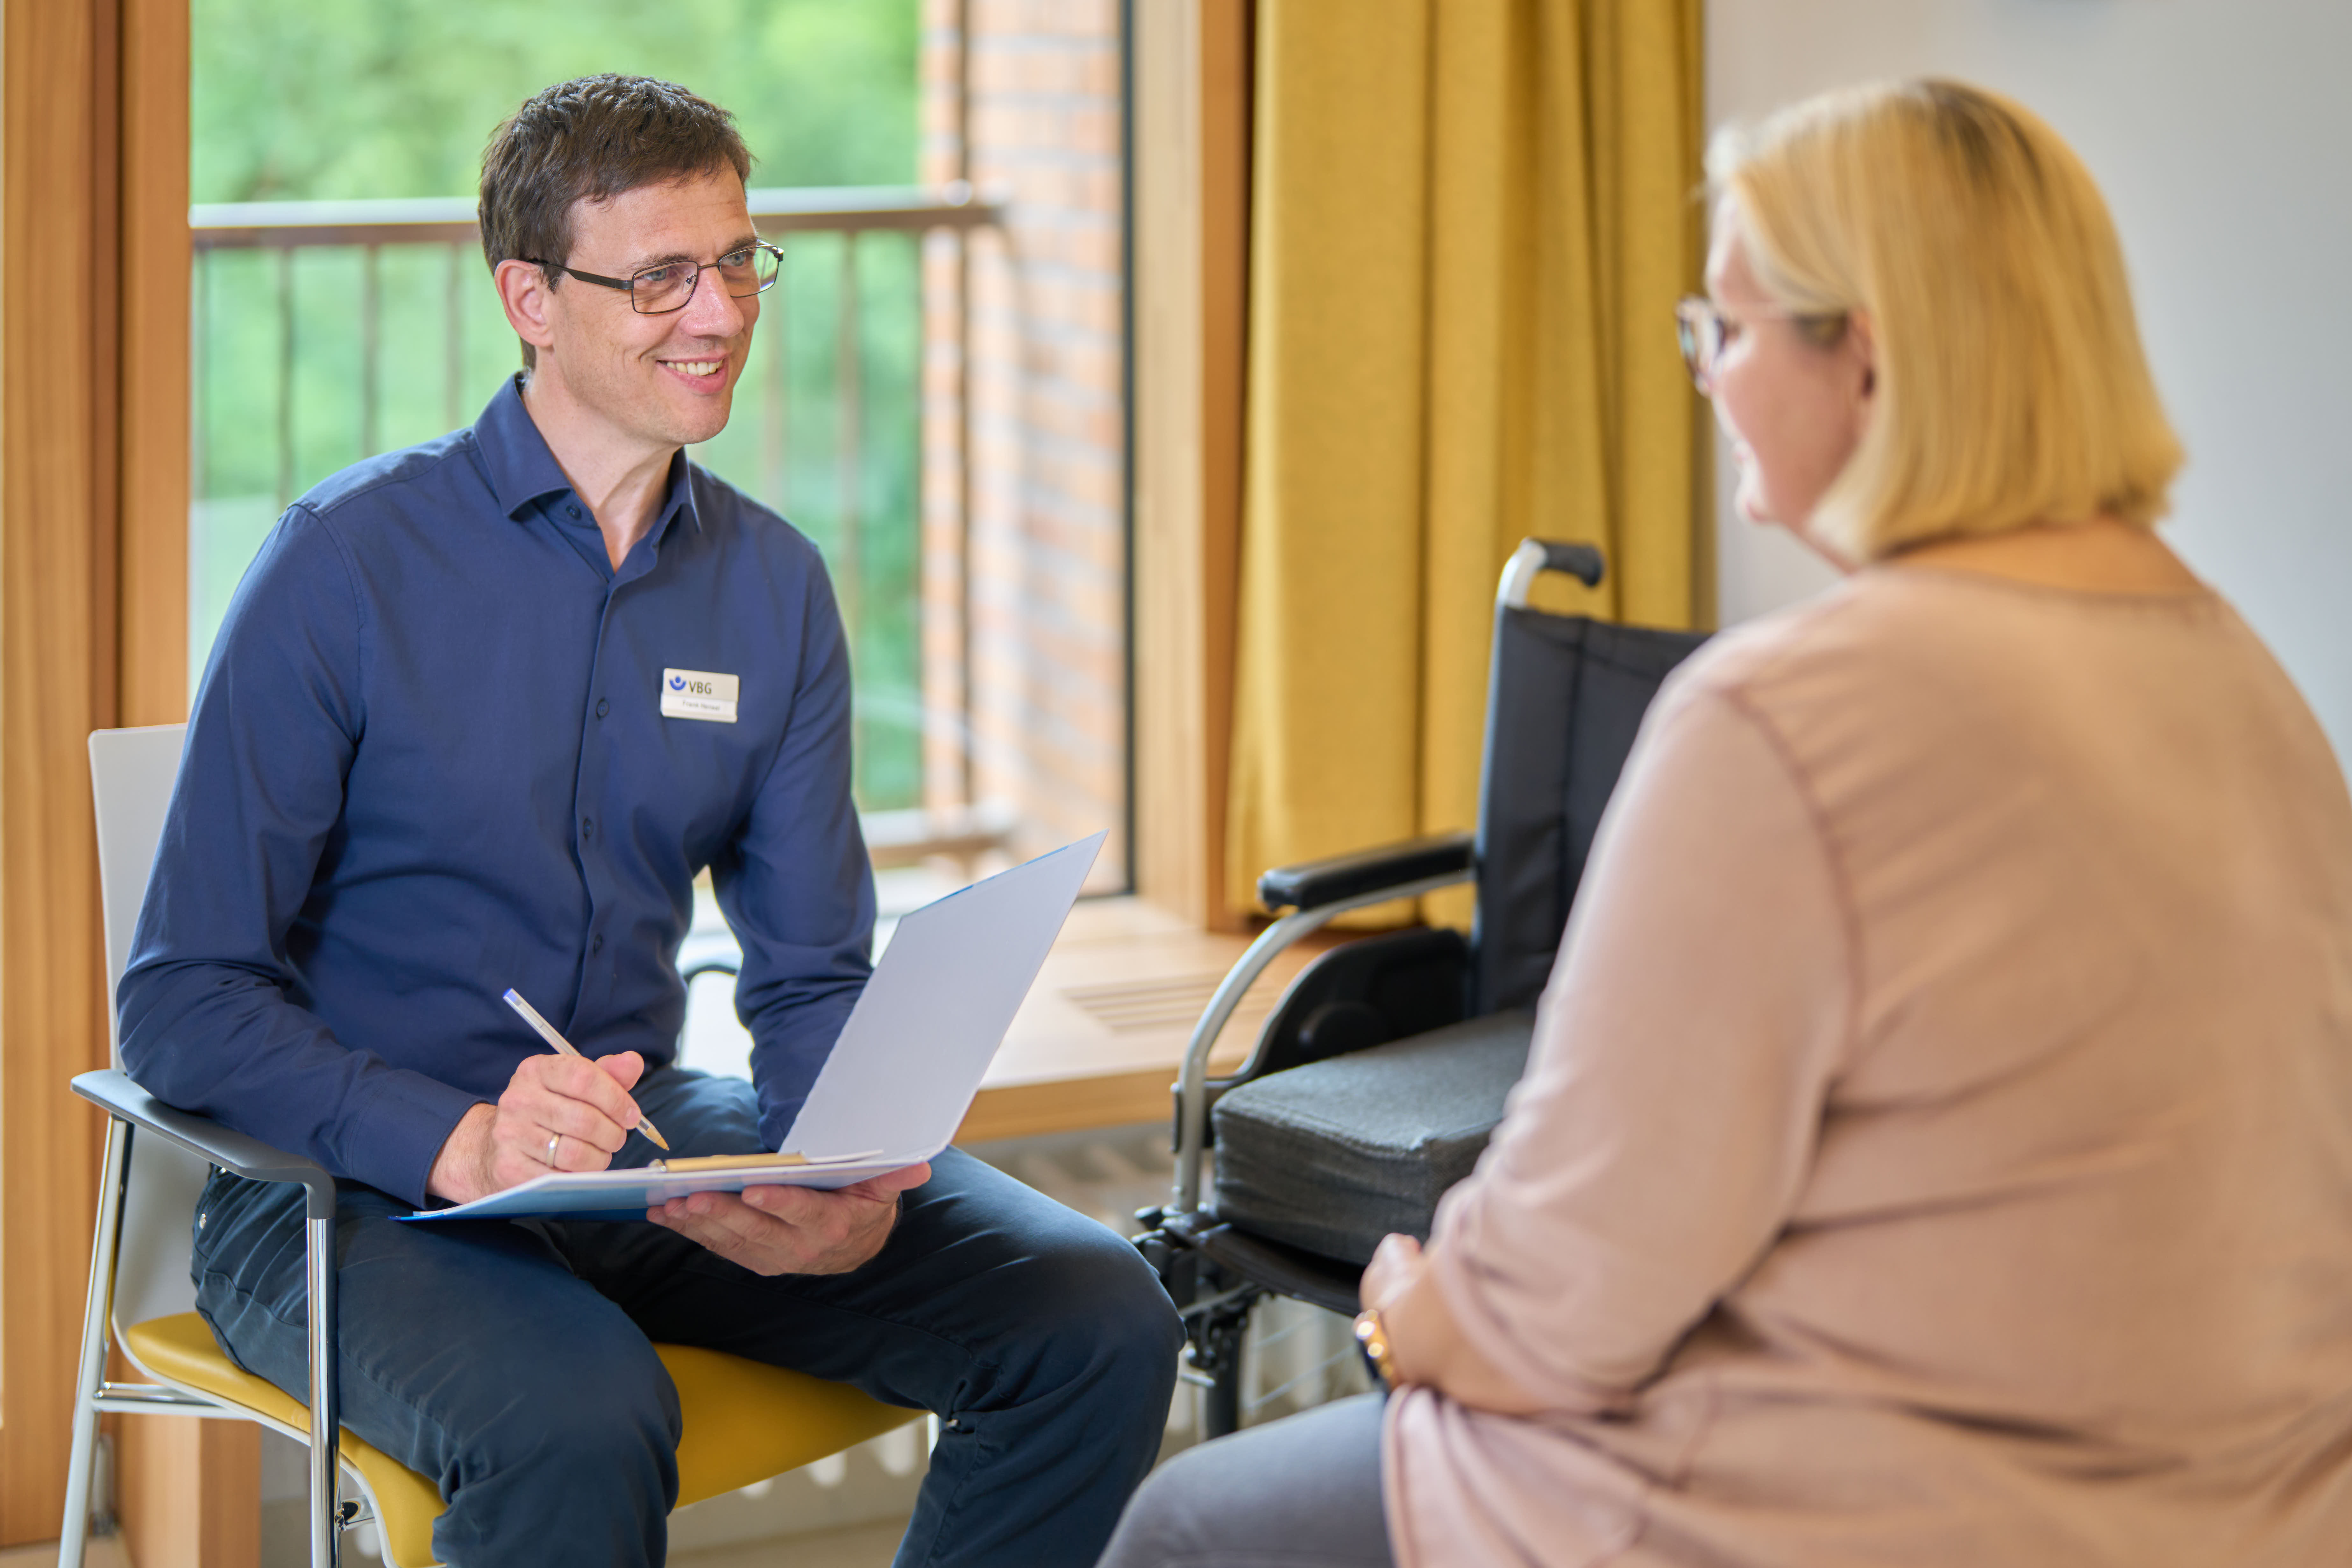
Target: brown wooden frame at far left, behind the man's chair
93,622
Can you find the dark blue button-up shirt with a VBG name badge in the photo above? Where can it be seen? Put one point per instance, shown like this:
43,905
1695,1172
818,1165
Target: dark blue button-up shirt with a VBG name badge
429,760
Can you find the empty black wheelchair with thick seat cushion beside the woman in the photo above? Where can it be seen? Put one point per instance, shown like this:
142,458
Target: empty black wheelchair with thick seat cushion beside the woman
1387,1064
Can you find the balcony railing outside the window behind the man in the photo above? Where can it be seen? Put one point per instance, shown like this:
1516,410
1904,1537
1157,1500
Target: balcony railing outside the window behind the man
335,330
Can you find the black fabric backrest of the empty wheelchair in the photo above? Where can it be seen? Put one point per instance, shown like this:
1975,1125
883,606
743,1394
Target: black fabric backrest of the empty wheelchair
1565,702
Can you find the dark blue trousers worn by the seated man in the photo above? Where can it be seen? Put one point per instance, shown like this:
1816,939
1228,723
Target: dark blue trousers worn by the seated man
514,1360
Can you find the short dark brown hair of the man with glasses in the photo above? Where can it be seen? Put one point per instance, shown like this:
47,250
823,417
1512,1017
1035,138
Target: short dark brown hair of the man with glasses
594,138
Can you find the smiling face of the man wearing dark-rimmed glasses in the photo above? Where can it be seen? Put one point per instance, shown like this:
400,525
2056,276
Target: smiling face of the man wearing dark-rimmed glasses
660,380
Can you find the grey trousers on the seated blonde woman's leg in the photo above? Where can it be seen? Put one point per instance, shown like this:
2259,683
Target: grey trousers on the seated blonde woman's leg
1295,1494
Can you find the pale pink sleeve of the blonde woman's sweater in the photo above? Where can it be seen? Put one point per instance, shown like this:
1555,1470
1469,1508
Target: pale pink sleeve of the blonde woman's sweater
1697,1014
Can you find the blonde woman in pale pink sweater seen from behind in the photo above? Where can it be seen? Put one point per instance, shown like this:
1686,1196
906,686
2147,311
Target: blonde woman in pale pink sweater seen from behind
1939,1134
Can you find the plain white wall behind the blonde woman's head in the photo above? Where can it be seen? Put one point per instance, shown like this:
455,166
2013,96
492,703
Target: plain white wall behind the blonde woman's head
2221,133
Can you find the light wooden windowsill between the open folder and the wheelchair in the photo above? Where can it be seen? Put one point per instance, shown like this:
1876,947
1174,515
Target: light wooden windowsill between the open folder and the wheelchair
1104,1028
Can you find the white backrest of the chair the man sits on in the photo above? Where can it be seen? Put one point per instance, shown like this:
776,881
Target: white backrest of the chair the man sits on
131,779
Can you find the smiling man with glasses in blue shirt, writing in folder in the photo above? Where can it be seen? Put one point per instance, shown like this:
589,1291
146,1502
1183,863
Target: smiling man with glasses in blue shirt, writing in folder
443,751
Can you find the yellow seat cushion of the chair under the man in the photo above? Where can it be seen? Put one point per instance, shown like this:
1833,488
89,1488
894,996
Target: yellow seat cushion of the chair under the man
744,1421
